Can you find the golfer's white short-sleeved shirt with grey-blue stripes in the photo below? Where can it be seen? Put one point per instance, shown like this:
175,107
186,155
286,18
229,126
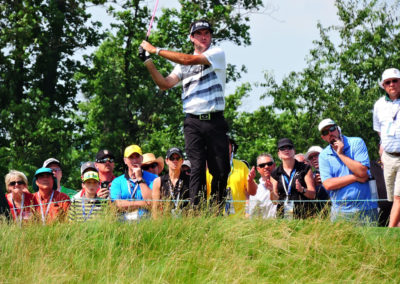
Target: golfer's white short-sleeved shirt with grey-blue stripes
204,85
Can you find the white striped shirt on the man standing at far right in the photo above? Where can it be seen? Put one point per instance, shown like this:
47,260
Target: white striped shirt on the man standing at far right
387,122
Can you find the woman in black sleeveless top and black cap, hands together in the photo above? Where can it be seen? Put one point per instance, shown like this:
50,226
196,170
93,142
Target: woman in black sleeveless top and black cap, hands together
291,181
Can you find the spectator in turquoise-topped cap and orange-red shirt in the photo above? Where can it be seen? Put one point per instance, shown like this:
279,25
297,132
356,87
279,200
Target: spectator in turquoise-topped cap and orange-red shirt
53,205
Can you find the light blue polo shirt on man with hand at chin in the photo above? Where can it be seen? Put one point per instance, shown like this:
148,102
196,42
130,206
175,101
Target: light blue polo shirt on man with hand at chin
331,166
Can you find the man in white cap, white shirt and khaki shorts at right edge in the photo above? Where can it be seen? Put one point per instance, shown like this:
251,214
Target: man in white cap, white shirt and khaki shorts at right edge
387,124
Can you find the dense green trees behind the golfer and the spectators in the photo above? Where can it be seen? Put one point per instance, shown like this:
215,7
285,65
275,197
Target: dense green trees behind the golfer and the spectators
41,80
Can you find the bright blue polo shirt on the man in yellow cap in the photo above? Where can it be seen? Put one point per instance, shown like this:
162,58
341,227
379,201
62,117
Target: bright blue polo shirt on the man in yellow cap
119,188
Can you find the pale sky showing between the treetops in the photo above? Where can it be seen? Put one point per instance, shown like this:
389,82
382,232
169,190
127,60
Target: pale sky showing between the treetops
280,42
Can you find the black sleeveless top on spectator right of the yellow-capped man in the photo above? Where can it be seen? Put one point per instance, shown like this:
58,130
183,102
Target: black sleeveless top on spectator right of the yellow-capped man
178,192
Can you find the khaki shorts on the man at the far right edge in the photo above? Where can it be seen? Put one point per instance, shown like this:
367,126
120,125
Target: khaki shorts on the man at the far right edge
391,171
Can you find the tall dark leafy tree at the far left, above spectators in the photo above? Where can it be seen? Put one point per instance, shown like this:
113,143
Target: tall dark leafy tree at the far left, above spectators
37,90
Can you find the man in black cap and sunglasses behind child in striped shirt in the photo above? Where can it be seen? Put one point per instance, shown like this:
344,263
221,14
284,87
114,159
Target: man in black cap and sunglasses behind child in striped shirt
105,163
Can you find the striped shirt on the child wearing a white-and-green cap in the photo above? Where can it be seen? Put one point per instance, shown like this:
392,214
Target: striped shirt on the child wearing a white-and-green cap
83,209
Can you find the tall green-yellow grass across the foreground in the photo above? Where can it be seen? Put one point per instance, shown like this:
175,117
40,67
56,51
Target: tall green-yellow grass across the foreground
199,250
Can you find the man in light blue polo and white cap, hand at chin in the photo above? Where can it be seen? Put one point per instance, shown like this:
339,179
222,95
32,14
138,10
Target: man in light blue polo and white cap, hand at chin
344,165
